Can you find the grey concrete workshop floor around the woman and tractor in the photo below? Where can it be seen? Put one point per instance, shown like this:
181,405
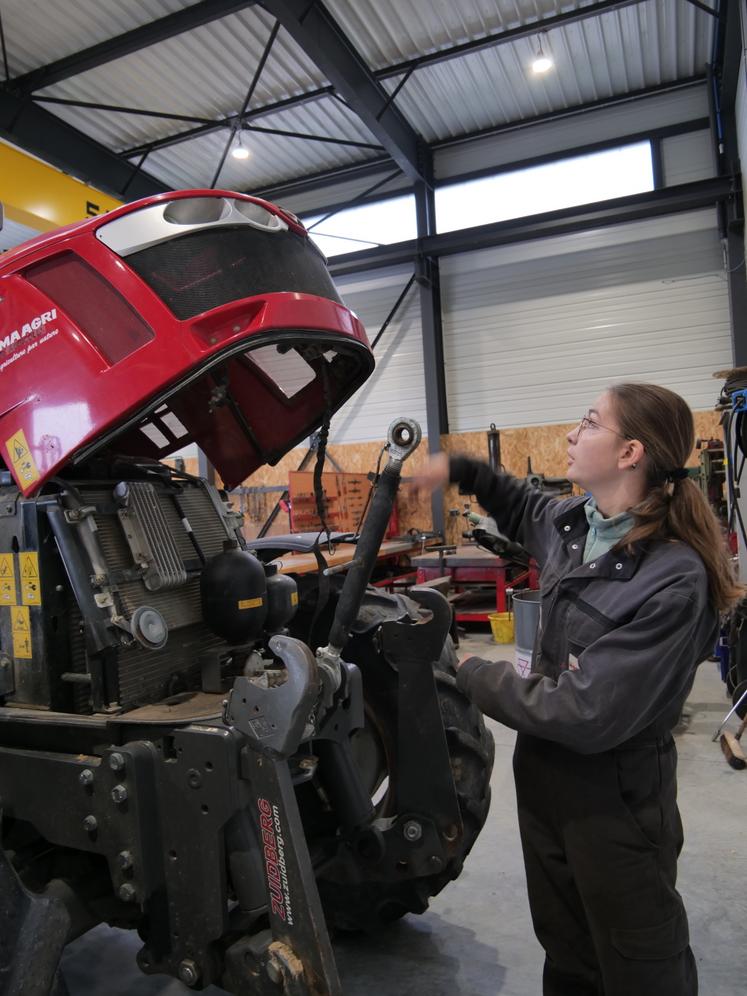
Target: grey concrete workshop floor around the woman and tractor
476,939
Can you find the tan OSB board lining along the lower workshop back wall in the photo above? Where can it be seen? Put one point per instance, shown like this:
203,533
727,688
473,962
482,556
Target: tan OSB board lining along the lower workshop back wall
546,445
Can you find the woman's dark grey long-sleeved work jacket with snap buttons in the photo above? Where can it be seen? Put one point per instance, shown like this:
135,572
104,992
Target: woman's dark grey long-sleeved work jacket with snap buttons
620,637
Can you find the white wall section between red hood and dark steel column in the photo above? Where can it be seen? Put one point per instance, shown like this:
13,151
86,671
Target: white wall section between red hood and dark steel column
396,387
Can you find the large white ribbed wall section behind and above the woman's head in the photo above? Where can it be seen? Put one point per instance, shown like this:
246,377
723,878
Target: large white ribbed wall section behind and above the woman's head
533,332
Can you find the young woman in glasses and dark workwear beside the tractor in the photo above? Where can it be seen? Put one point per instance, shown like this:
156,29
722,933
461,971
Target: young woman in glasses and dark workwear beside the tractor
633,579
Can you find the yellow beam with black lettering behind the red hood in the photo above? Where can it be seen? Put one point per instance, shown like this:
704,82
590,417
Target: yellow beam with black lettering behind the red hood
42,197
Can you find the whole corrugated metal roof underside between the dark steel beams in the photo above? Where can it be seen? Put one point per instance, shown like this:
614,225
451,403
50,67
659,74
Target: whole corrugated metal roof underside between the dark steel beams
206,72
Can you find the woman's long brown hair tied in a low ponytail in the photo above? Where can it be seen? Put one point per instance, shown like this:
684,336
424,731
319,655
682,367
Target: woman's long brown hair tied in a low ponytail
674,507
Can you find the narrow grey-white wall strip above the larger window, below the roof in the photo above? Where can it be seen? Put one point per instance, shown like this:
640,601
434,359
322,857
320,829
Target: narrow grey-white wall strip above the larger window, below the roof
605,124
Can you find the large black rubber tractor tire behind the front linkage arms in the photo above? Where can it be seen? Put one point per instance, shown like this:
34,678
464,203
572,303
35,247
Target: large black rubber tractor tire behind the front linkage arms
368,904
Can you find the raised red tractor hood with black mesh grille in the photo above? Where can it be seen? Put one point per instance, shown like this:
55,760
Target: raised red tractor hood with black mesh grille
197,316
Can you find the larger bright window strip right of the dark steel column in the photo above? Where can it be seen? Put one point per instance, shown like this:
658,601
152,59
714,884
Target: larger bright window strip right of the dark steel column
562,183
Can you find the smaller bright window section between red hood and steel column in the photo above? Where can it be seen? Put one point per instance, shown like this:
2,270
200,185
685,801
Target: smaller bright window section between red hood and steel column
364,227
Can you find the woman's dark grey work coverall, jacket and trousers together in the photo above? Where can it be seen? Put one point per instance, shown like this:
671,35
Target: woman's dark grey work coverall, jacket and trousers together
595,764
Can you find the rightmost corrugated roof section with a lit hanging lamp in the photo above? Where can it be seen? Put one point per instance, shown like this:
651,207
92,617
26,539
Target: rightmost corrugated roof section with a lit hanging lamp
640,46
